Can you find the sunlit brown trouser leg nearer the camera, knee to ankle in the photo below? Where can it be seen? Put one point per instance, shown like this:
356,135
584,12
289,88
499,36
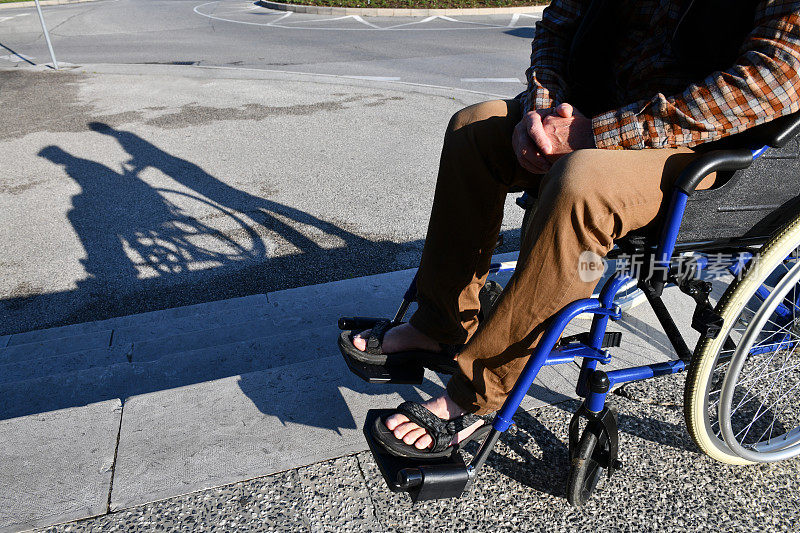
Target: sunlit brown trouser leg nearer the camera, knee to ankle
588,199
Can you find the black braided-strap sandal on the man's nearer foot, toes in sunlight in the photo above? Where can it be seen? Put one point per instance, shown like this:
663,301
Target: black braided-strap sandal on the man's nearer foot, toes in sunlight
441,431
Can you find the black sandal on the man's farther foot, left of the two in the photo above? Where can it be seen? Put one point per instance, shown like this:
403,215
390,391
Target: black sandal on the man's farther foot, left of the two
443,361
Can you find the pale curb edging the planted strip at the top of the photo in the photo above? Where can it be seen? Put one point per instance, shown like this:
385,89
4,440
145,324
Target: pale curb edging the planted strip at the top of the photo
387,12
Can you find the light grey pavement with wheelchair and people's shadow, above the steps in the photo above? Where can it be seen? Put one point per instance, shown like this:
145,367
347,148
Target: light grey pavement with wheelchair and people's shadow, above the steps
140,187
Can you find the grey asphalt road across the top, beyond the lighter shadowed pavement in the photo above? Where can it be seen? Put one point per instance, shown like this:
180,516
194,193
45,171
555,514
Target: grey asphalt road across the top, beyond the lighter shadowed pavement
488,53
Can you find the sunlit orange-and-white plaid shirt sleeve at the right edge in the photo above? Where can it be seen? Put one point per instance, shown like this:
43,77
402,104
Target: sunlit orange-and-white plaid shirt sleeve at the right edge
761,86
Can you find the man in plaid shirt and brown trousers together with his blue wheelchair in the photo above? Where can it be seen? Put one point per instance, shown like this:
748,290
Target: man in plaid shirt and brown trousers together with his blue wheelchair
649,127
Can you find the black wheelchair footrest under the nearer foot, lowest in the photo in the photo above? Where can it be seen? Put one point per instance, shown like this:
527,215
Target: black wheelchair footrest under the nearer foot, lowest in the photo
431,479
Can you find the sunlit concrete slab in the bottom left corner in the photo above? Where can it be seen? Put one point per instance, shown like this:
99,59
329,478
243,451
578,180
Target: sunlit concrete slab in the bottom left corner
57,466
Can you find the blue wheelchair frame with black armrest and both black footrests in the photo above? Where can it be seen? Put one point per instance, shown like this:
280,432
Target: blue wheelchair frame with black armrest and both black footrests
449,477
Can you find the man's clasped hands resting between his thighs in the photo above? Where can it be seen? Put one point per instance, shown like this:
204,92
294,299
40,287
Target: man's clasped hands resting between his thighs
545,135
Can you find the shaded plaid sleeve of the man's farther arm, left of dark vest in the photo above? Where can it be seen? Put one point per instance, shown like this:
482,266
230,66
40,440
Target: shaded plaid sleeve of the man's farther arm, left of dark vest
549,51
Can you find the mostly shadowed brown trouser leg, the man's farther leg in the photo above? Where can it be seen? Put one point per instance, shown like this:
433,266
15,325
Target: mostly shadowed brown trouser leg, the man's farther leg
476,170
